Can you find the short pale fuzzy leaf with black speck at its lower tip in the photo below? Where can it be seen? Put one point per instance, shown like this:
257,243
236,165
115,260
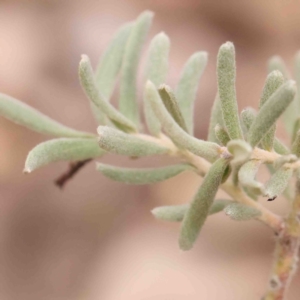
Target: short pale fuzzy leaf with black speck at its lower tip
278,182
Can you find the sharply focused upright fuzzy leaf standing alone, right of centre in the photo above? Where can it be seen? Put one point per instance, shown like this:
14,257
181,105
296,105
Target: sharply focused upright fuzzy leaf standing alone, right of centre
226,74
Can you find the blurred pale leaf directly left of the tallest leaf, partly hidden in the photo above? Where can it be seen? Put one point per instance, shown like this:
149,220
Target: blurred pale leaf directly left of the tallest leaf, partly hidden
109,67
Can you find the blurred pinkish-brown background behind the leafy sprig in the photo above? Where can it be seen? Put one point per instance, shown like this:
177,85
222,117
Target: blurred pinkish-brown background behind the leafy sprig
97,239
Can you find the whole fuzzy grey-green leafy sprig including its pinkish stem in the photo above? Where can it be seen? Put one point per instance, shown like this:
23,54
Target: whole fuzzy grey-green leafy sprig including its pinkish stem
236,148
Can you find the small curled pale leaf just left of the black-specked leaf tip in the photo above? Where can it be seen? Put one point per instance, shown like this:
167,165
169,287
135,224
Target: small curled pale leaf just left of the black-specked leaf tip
247,177
